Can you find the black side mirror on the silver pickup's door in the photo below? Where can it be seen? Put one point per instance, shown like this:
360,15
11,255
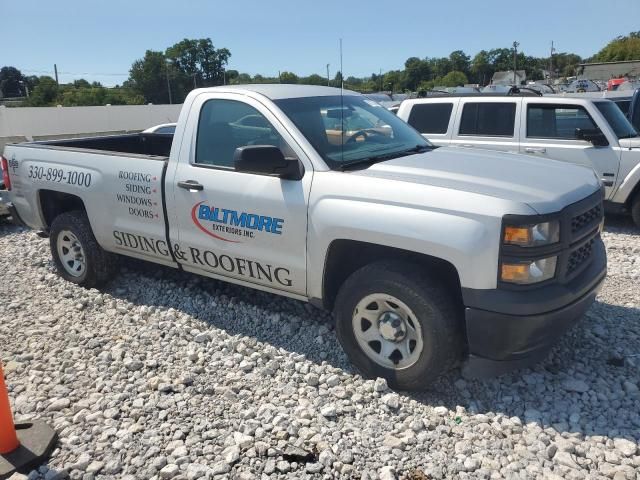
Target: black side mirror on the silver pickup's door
267,160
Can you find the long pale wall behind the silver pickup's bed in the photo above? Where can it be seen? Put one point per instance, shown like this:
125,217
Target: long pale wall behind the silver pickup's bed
36,123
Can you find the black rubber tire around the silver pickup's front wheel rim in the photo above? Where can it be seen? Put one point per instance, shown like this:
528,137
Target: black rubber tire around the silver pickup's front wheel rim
434,307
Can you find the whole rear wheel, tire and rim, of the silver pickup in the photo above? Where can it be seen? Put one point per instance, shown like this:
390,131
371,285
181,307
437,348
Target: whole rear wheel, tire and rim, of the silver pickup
76,253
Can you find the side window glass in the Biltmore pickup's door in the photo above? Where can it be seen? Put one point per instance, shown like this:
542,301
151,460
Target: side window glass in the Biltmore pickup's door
225,125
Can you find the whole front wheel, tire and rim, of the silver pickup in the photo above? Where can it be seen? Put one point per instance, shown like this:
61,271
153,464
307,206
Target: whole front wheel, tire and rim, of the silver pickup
395,322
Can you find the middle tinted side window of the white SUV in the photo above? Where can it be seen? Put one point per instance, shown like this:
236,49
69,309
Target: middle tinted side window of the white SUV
488,119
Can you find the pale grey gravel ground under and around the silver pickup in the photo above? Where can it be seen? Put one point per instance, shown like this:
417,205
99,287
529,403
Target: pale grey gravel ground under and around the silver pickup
168,375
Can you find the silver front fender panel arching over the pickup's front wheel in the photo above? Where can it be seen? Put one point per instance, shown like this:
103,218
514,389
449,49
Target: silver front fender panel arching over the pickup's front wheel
469,242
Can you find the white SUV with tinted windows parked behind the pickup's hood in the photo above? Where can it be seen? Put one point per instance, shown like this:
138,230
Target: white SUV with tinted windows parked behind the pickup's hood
591,132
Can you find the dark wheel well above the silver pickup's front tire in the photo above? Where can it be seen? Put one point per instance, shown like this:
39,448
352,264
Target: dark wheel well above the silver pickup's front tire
346,256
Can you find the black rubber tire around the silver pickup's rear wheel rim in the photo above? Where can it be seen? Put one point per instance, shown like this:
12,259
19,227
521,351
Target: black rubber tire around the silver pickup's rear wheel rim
99,264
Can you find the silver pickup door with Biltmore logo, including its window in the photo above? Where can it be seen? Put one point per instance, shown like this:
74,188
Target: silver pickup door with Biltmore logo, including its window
232,224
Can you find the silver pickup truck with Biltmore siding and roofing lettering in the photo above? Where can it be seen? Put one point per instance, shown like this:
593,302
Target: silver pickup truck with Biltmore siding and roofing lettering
429,257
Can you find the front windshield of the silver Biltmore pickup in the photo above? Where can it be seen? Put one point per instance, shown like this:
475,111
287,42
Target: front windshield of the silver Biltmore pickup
350,129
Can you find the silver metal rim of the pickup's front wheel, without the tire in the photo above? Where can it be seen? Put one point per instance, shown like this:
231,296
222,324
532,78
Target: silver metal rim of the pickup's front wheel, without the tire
387,331
